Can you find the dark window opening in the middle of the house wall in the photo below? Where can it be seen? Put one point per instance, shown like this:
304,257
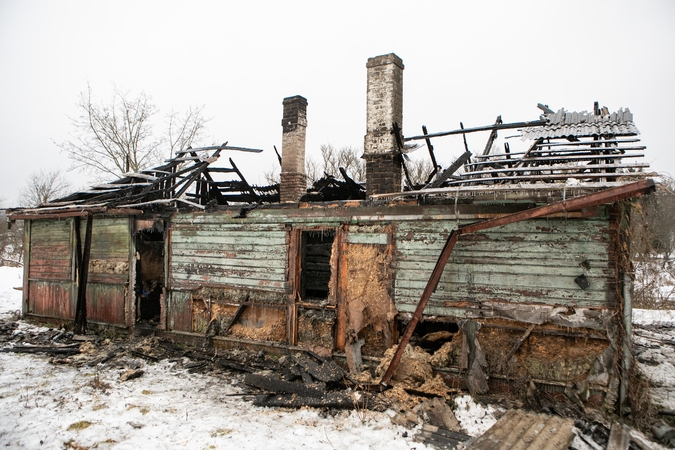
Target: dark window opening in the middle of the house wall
315,272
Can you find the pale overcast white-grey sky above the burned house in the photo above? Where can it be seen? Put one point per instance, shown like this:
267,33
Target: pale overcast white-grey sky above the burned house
465,61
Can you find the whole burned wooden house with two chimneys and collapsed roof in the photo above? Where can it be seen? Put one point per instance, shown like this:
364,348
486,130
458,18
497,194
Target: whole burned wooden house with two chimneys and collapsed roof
519,258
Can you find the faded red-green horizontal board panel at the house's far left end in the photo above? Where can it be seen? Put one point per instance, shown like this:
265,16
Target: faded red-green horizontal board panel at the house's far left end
51,256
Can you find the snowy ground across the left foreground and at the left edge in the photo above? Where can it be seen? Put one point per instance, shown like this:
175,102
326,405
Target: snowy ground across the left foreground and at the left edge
52,406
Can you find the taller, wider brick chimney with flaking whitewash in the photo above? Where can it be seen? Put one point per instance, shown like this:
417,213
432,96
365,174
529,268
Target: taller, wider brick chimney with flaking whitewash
384,106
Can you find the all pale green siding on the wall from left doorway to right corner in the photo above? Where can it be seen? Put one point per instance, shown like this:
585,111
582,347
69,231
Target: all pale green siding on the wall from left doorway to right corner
534,261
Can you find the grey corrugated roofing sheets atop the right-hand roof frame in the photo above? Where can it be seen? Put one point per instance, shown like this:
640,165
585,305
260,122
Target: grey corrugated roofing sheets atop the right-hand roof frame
569,123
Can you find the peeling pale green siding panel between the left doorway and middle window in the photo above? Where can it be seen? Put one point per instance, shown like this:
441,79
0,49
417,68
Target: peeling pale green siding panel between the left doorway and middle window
217,250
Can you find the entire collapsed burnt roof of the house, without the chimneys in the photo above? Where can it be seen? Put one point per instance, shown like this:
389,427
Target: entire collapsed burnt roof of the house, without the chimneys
597,150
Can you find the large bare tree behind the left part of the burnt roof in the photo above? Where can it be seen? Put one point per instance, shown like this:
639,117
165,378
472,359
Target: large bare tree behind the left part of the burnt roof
117,138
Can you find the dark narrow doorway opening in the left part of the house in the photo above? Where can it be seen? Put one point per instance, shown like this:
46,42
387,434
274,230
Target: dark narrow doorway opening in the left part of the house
149,273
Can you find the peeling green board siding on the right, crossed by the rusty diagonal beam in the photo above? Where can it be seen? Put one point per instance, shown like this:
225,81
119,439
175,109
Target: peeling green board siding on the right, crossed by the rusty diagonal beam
527,262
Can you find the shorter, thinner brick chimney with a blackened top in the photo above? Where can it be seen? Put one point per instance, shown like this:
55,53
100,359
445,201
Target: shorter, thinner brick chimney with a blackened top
293,179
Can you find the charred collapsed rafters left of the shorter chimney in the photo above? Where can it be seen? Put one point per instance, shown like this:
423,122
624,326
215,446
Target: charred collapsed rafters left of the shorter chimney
189,179
